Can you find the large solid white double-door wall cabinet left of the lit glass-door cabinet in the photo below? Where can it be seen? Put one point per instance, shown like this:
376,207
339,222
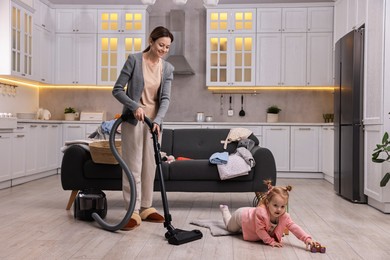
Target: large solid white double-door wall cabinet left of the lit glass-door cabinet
75,59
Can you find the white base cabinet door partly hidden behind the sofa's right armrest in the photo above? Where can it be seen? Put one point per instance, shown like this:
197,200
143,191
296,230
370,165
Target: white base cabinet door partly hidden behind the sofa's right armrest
277,140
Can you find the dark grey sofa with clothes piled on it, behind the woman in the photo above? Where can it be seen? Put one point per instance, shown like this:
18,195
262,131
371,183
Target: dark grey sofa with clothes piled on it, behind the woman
78,171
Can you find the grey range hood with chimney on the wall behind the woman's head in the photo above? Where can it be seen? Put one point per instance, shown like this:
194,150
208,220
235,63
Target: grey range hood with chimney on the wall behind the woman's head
176,51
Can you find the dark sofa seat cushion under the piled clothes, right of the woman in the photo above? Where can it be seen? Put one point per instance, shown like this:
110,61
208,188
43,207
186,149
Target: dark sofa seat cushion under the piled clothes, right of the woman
199,170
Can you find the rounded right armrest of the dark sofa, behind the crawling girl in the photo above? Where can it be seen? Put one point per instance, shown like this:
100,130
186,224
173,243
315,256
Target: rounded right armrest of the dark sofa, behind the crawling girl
265,168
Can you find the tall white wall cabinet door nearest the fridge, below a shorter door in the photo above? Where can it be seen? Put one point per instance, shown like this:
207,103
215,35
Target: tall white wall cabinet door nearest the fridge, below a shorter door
319,59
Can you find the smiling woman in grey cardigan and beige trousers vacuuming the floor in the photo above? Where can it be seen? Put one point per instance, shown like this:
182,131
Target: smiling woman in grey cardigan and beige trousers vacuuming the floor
148,78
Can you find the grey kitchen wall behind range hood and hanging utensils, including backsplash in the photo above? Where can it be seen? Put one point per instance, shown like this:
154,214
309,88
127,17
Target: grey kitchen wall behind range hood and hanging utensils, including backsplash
189,93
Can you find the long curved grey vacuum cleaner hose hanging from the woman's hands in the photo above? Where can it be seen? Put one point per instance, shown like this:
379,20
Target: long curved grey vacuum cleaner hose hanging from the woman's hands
130,210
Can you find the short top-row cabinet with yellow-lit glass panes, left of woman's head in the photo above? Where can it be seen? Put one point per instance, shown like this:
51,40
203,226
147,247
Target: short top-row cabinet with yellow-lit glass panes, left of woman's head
123,21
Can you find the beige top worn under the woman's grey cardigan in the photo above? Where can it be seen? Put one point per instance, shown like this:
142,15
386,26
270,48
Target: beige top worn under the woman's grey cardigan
152,79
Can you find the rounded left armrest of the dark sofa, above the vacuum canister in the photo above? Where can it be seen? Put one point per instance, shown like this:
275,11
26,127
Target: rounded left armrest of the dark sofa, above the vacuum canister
72,167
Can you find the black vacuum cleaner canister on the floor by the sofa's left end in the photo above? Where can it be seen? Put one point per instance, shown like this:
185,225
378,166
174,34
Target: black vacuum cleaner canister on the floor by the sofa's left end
88,202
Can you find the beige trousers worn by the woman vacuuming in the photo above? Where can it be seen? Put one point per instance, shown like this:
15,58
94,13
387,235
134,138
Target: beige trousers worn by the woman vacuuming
138,153
